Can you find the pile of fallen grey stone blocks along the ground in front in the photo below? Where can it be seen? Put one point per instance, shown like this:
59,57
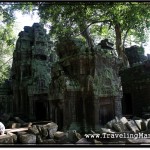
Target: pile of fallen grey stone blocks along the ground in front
46,132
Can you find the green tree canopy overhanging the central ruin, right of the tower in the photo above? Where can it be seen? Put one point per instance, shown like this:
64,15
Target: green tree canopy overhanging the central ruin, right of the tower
101,18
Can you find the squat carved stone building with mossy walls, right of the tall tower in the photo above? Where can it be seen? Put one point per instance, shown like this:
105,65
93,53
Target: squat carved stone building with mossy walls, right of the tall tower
84,89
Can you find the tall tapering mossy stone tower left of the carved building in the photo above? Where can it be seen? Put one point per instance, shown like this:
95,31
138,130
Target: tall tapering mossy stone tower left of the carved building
31,73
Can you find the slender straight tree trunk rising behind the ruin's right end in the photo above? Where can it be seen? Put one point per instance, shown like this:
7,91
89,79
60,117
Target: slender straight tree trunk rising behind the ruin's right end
119,46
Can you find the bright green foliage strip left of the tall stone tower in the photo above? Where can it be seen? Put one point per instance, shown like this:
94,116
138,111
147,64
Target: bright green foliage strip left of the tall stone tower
7,39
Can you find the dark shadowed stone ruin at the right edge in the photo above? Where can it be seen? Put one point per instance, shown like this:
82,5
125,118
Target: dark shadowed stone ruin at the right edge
136,84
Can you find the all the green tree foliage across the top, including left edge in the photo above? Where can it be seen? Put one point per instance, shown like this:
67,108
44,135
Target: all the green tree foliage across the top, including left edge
86,20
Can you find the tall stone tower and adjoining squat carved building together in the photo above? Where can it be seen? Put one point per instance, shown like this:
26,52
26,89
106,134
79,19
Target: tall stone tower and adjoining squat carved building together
73,86
